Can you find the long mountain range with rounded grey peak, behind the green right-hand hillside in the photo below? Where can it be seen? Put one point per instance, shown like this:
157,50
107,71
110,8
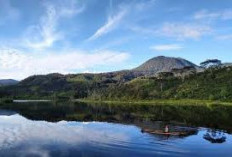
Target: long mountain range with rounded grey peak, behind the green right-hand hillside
81,85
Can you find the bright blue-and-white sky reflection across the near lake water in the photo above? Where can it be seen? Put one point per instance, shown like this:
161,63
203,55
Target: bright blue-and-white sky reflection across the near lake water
20,136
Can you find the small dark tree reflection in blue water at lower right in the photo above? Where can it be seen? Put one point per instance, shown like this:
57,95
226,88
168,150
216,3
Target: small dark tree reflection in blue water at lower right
215,136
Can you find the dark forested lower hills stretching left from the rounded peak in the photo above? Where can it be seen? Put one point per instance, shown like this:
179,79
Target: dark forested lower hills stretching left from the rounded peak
72,85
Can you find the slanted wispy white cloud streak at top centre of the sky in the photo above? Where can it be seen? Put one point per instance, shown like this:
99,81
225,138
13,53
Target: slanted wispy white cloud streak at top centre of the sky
111,24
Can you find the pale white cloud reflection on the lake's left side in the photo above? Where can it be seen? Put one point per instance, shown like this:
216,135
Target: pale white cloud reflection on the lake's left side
16,130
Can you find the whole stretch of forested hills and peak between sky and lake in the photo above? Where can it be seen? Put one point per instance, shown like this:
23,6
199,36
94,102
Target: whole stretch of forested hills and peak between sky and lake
182,81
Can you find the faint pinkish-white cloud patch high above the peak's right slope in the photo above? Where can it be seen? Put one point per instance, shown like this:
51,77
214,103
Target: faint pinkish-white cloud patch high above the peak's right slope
183,31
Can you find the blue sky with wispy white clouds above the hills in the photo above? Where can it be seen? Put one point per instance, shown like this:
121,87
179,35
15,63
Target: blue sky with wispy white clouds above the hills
80,36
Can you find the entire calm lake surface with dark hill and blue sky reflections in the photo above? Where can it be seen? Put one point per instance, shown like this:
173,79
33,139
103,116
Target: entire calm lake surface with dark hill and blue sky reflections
101,130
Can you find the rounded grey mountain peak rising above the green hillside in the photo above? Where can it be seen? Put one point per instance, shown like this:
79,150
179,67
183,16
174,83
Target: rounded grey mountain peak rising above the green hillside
163,64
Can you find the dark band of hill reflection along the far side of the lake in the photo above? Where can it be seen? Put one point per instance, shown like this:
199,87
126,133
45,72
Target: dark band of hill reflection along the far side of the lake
215,116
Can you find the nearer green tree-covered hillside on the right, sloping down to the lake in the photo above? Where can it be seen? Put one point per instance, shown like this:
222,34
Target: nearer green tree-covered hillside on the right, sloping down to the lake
212,84
